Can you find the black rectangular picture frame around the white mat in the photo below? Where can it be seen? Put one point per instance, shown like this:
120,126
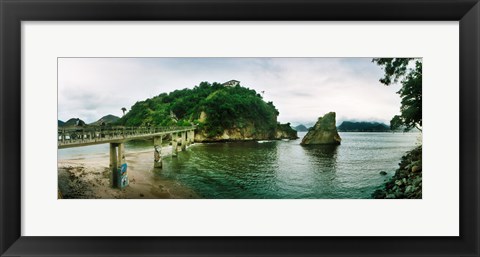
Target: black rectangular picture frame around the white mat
13,12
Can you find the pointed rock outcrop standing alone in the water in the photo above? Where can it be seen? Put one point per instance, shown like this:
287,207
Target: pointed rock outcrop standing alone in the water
324,132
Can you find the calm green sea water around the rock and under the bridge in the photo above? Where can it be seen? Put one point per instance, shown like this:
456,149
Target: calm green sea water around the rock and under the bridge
281,169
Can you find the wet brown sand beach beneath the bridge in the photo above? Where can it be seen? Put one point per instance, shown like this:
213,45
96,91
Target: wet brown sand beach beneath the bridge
90,178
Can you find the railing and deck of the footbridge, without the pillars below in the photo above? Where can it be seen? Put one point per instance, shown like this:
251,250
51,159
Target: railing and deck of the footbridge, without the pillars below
79,136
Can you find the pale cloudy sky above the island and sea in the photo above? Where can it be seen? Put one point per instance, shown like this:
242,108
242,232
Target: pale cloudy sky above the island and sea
302,89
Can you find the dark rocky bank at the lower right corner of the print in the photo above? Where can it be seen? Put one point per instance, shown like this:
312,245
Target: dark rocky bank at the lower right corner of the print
407,181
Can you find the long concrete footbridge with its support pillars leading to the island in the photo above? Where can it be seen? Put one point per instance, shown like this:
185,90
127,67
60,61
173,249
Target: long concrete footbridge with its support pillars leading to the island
116,136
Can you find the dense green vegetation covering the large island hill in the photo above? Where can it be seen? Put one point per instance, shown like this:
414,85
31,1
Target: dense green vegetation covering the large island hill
213,107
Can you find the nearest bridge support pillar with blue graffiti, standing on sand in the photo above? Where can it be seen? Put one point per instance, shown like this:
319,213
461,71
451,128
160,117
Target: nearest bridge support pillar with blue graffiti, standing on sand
118,165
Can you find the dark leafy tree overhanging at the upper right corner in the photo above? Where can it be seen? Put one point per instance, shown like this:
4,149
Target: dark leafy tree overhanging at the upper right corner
407,71
